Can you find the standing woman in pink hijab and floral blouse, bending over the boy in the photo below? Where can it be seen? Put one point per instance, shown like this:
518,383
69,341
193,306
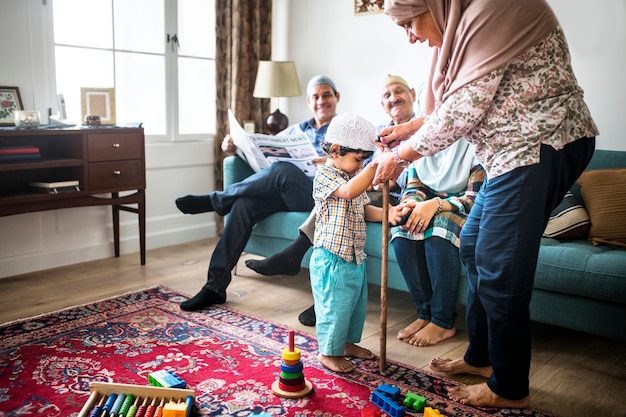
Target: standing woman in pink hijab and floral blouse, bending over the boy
501,78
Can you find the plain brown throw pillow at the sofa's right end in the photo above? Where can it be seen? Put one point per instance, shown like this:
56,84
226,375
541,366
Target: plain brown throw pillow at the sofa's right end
604,194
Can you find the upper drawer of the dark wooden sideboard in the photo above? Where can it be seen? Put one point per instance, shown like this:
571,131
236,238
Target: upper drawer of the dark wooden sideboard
114,146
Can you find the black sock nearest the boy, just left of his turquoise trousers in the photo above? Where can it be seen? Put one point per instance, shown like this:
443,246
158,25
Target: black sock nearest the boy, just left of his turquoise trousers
285,262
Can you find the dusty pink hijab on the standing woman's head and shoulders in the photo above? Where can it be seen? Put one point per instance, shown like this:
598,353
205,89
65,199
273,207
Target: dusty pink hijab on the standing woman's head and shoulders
478,37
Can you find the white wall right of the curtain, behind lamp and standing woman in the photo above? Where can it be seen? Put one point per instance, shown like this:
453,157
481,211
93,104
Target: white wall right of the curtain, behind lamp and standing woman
357,52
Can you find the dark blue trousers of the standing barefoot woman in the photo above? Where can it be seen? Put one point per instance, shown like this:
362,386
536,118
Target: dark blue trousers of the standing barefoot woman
499,247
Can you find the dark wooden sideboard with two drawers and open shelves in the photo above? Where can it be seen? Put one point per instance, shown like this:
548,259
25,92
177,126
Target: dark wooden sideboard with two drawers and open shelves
108,162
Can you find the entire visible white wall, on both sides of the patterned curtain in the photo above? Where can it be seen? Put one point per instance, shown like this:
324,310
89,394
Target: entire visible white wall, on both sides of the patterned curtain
322,36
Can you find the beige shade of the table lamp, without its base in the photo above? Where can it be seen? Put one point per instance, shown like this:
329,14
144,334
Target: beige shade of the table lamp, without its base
276,79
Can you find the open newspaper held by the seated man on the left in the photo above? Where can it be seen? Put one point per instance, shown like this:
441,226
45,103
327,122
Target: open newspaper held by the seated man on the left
260,151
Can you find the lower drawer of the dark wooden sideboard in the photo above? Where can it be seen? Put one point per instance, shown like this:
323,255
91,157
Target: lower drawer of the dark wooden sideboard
116,176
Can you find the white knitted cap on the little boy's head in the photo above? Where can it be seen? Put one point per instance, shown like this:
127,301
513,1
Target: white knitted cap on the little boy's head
351,131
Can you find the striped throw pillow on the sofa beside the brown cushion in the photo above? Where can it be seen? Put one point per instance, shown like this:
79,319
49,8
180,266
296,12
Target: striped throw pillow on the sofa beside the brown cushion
569,220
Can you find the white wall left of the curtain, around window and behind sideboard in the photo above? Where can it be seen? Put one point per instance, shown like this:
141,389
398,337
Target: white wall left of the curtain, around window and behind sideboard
42,240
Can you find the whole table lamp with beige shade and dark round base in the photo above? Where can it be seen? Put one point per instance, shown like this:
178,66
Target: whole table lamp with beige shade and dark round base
276,79
